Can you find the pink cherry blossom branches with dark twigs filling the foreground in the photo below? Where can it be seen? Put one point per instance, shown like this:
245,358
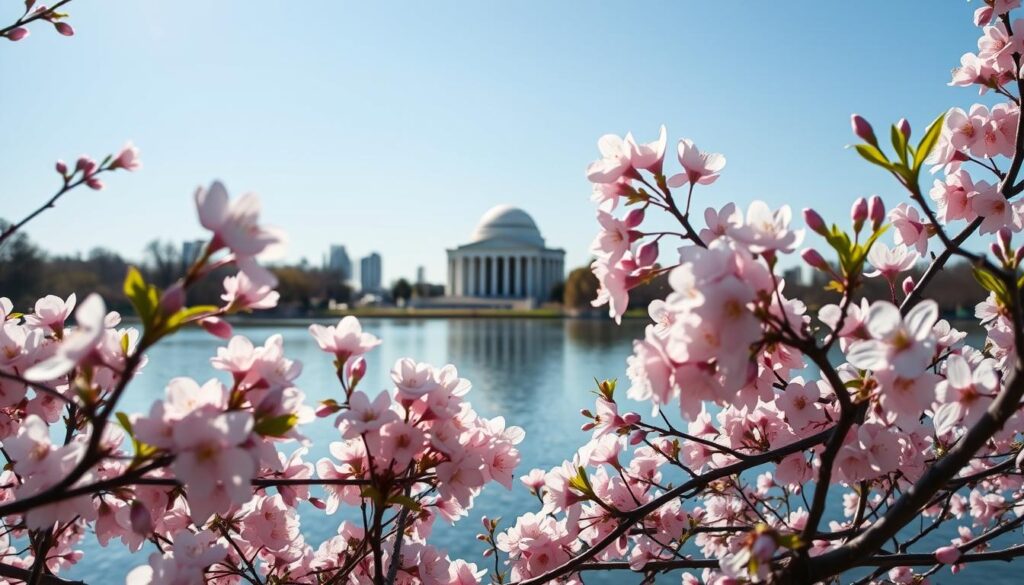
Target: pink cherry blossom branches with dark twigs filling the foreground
763,414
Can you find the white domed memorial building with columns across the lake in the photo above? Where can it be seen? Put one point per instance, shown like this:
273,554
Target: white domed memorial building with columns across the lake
506,259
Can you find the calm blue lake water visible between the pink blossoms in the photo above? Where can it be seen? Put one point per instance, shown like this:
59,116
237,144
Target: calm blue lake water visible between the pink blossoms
536,373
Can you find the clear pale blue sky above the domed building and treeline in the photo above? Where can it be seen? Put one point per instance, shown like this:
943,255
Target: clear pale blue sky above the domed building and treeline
393,127
